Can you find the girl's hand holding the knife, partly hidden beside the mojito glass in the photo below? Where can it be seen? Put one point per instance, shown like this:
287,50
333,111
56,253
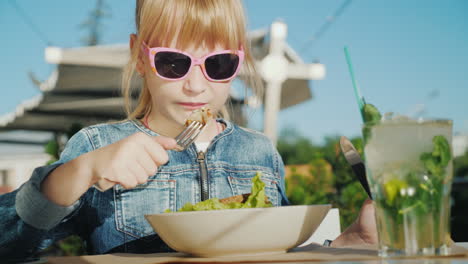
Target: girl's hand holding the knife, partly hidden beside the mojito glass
363,231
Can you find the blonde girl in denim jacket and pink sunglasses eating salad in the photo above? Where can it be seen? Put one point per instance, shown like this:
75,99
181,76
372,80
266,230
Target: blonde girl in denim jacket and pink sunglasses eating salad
187,53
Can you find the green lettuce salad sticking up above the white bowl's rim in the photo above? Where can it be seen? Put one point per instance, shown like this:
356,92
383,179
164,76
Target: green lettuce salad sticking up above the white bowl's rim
256,199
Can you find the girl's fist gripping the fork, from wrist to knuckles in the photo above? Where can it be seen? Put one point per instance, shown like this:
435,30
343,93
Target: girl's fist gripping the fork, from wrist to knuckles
128,162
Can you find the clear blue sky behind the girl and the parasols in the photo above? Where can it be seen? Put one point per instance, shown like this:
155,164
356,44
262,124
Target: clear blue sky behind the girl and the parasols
405,54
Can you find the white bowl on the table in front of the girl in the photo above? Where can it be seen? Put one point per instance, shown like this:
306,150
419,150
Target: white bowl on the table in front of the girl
238,231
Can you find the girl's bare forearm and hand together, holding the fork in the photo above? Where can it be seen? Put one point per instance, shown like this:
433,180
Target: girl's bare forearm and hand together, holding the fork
128,162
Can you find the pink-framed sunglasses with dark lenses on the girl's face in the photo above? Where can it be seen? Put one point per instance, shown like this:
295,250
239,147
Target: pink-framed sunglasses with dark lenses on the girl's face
172,64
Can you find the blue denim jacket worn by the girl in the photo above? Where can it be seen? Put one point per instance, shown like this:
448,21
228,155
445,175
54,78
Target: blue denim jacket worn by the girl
113,221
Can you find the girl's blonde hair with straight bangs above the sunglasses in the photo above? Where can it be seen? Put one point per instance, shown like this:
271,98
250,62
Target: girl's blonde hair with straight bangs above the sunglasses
192,22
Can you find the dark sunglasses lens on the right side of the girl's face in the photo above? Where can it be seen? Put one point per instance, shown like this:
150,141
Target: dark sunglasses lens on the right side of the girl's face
221,66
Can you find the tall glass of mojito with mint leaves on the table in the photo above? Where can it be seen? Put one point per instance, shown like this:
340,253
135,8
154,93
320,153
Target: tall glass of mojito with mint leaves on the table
409,169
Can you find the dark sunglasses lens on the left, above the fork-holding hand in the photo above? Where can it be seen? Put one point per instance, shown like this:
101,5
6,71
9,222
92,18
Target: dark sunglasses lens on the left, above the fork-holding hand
171,65
